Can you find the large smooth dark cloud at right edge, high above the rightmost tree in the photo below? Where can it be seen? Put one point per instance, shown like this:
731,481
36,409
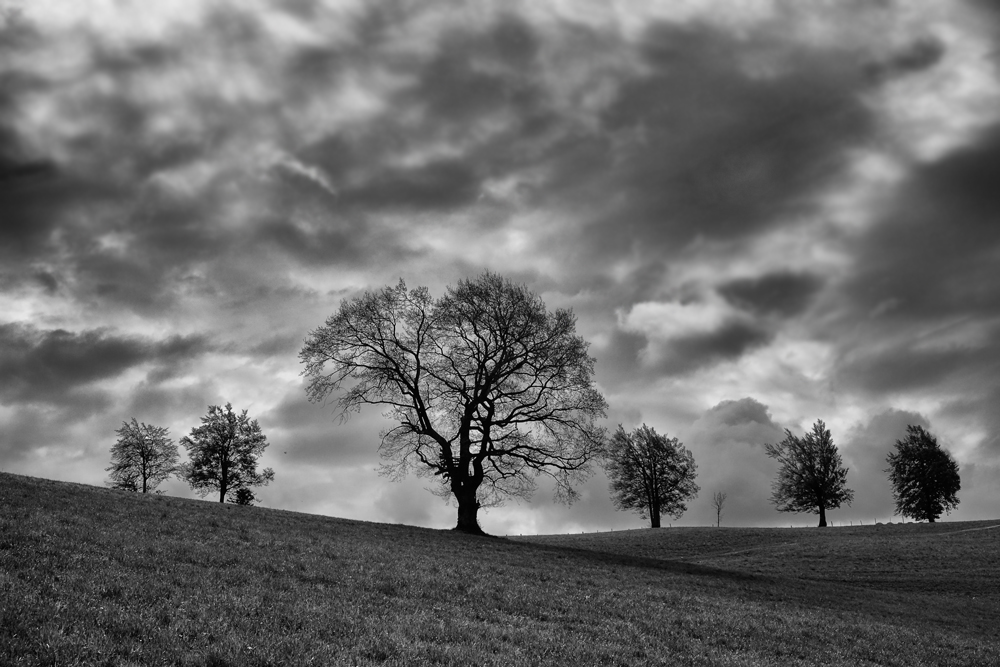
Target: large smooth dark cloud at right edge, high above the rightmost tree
934,255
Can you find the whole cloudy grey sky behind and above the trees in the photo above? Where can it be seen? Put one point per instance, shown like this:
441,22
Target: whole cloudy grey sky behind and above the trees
762,213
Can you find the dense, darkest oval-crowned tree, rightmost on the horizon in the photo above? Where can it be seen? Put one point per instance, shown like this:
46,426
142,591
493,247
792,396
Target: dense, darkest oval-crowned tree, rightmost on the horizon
925,479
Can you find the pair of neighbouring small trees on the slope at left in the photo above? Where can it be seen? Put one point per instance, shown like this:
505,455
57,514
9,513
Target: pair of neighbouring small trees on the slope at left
222,456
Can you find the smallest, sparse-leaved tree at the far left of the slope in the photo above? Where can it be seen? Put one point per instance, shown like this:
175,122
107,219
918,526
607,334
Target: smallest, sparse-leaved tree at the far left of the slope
141,458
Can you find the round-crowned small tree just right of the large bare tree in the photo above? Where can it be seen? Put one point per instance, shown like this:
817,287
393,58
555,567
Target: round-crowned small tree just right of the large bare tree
650,473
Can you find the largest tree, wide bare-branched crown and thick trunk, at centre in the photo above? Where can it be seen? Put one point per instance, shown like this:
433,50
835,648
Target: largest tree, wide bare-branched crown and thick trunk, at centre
485,387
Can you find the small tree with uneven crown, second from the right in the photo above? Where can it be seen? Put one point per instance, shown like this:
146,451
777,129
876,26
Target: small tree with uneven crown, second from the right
812,477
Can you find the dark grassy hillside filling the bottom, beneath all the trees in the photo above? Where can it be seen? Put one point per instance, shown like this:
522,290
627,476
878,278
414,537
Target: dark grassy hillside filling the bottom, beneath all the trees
96,577
